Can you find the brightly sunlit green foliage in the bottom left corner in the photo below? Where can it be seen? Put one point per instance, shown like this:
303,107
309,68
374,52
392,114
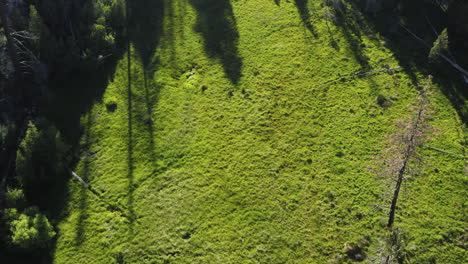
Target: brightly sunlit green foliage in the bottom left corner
28,230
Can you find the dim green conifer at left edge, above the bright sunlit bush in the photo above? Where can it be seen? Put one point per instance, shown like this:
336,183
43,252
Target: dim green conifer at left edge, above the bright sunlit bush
42,156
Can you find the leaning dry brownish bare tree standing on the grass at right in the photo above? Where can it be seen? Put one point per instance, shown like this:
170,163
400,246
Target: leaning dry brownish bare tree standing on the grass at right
397,161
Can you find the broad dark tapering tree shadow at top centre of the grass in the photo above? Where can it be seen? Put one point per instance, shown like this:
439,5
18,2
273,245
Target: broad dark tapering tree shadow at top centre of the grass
217,24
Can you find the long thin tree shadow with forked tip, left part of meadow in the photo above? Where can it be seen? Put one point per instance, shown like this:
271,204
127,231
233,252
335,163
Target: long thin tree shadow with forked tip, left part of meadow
144,30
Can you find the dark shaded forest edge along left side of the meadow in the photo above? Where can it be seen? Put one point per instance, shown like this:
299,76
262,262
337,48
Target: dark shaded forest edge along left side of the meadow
49,44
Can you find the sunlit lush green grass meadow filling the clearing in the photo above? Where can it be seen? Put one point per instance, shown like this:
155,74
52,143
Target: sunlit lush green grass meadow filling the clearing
249,158
